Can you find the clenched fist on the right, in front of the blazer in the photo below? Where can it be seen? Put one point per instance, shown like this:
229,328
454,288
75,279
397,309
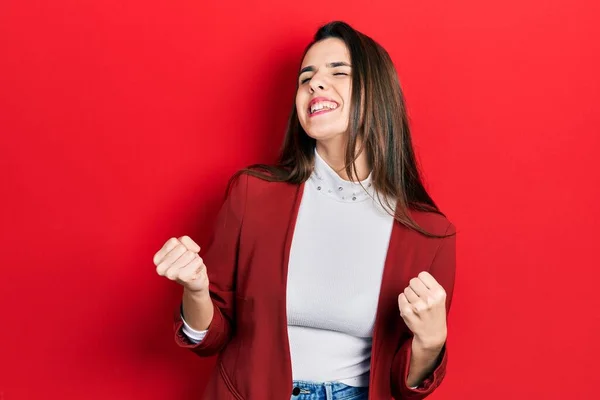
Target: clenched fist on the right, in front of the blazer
423,308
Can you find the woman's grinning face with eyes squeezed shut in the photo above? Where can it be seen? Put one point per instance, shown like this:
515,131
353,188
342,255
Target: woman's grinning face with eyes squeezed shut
324,90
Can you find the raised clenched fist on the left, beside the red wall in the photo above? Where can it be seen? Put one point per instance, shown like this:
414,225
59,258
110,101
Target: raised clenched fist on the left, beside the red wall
179,261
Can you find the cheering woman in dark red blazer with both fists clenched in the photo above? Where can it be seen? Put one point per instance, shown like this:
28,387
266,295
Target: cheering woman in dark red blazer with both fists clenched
330,274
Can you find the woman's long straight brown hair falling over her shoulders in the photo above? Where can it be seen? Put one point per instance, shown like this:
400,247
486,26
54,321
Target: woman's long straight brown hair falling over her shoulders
382,128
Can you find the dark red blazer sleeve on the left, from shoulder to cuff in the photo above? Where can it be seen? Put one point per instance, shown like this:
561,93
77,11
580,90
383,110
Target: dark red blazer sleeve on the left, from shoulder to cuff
220,258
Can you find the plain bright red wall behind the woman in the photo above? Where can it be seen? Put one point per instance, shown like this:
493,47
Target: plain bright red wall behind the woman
121,121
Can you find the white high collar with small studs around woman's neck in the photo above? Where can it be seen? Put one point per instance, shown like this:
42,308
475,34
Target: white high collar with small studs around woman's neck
329,183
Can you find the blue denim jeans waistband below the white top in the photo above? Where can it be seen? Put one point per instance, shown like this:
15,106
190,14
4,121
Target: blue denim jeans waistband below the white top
304,390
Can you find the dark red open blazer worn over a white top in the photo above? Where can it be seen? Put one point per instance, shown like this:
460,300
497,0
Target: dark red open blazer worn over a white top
247,262
